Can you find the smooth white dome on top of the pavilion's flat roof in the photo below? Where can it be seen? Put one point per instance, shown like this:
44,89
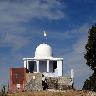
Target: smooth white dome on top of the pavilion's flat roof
43,50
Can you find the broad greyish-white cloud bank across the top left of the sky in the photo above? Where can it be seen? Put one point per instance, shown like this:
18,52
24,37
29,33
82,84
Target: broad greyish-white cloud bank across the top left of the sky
12,12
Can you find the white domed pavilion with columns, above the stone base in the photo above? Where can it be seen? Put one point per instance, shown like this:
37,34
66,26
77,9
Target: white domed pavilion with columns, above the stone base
44,62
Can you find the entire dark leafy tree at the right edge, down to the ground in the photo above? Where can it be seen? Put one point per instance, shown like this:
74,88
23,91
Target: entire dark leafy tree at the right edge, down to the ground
90,57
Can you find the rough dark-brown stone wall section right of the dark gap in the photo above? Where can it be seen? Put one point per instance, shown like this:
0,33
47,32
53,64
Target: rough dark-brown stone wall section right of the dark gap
59,83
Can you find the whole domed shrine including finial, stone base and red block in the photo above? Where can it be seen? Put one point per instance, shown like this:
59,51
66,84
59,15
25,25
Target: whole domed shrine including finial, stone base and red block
43,71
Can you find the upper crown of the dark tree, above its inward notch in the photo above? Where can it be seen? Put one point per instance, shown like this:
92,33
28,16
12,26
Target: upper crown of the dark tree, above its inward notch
90,55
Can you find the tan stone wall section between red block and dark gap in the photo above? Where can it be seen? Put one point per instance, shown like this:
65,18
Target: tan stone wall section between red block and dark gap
33,82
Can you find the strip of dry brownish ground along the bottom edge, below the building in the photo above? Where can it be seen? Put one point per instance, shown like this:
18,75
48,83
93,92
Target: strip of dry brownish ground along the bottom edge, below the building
54,93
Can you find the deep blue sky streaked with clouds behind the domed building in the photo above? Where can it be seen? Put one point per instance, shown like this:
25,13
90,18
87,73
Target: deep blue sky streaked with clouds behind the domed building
67,23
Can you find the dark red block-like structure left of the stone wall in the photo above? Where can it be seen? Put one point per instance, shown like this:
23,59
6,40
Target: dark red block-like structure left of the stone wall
17,79
